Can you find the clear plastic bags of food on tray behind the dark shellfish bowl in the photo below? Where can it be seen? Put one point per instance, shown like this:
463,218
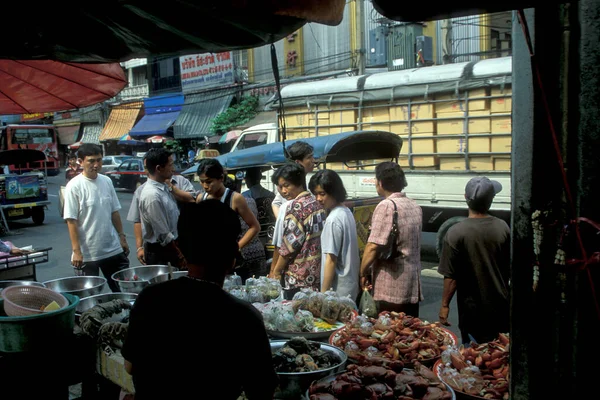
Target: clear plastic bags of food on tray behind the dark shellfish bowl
308,311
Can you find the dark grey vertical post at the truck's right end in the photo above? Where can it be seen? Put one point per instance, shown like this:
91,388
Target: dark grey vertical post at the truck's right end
521,192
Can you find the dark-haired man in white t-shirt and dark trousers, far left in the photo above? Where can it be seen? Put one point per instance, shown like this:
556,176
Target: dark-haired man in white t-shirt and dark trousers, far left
92,215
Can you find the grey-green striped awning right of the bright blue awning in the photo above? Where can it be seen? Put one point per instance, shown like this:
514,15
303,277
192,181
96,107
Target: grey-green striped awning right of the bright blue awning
198,112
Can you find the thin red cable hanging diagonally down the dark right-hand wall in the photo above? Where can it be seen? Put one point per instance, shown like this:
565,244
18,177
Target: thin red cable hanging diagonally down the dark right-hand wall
567,188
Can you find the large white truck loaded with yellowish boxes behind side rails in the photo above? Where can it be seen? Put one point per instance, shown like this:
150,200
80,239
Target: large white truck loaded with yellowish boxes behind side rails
455,122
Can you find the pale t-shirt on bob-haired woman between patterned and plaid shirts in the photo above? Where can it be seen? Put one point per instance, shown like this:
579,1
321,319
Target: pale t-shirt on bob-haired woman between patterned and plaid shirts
339,238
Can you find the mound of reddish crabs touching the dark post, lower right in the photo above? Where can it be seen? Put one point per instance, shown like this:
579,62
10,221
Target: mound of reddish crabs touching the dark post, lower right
481,370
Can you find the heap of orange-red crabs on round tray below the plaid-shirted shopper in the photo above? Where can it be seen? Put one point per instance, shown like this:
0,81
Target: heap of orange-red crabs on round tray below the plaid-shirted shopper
393,336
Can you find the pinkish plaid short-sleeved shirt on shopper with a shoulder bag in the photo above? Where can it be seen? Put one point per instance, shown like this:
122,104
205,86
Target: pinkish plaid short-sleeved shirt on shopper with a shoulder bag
398,281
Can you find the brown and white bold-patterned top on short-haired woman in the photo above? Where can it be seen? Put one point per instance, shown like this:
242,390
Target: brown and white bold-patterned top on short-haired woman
302,227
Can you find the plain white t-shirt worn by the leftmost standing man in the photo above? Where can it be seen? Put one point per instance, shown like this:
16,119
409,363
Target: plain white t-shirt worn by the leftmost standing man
91,202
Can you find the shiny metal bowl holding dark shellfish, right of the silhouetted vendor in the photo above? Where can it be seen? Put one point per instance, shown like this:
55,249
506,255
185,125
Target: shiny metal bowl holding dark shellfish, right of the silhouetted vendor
292,385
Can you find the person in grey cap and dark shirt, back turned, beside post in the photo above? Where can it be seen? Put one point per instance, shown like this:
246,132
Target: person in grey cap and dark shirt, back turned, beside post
475,264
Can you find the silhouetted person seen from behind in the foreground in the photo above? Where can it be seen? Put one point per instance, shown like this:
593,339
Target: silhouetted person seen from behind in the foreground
188,338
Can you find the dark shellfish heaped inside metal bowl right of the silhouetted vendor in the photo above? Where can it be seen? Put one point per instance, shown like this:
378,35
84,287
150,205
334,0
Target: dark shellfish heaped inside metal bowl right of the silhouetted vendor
300,355
